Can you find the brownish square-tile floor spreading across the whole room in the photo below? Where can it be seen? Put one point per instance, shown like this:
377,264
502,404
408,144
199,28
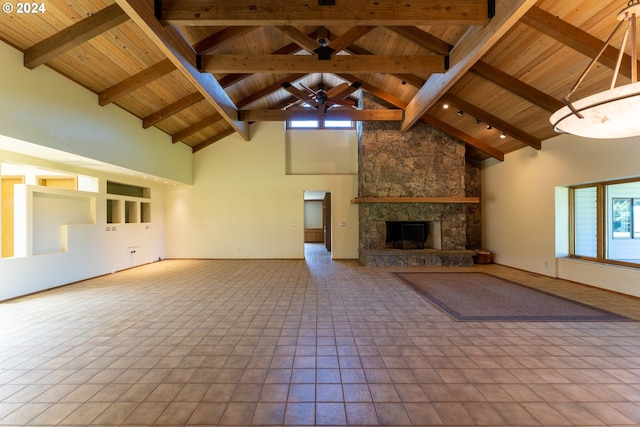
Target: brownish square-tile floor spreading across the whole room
292,342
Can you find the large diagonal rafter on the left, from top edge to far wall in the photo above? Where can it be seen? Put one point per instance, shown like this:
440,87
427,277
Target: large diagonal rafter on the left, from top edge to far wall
183,57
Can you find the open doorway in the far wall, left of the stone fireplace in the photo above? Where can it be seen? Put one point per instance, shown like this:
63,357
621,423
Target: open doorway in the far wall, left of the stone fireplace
317,220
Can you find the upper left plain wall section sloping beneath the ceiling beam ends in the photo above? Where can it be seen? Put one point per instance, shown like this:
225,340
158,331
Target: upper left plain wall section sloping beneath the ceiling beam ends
42,107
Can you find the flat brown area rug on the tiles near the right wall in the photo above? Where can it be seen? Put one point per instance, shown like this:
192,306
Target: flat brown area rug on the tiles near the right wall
483,297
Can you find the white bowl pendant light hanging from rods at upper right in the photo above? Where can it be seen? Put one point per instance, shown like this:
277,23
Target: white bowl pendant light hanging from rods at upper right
612,113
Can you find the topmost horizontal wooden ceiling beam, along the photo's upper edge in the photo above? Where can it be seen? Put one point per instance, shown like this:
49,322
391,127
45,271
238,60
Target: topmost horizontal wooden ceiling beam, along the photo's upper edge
283,12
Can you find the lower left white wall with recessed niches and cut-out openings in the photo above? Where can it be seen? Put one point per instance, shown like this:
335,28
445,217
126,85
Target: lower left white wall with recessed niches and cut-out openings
67,246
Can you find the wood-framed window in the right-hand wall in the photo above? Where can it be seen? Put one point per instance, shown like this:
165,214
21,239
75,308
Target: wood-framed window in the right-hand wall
606,222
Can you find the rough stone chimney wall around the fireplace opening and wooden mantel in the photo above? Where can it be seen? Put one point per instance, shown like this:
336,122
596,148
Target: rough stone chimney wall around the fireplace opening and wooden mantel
422,162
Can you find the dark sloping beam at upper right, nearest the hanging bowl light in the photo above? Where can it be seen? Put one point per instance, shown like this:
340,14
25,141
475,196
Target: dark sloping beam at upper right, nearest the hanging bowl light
575,38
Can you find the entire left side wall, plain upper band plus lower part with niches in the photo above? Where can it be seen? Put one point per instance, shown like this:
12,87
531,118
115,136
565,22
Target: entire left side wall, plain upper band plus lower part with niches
42,110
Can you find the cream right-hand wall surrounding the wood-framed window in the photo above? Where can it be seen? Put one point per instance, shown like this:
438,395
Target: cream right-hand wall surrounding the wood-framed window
519,206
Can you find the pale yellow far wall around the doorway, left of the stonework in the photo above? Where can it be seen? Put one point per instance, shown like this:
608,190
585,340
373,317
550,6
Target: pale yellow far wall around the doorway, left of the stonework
243,204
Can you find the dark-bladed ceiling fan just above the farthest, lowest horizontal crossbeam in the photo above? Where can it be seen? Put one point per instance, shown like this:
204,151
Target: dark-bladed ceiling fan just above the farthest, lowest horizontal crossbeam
321,99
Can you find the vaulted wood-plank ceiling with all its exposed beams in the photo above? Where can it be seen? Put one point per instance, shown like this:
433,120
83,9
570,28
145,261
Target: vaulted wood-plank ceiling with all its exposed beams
200,70
